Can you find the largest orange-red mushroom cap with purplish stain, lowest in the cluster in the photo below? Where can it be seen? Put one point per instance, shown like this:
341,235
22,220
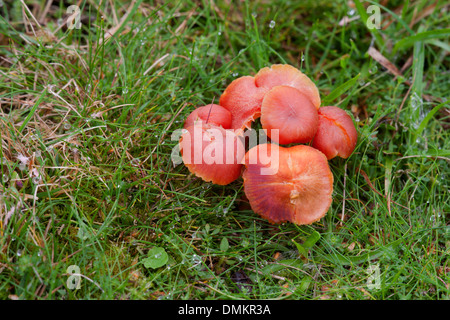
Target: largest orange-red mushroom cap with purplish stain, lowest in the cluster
288,184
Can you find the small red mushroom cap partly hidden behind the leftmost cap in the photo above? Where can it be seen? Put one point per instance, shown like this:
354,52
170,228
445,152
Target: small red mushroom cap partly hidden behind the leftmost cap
211,113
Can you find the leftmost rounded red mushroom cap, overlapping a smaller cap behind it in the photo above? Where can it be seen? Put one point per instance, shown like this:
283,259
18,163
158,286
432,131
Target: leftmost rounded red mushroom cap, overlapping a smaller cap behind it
212,153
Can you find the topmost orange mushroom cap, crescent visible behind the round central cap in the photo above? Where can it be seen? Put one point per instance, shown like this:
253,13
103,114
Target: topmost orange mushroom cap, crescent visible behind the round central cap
287,75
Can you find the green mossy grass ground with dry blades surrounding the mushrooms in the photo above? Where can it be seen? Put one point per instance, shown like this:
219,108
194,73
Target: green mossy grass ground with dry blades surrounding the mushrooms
87,182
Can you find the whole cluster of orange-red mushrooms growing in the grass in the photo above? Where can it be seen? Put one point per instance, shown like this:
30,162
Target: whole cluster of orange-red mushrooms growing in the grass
287,179
